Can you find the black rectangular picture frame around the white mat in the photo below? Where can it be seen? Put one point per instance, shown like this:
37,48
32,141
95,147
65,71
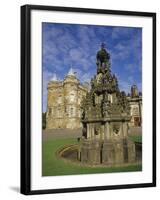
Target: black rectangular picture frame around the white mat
26,98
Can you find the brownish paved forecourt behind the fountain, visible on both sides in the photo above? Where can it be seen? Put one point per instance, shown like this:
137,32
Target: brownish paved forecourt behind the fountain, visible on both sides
66,133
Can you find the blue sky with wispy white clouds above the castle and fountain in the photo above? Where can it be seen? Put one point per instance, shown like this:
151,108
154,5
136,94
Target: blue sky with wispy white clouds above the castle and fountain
66,45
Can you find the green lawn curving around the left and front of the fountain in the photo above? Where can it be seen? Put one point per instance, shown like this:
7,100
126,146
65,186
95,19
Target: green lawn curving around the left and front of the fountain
53,165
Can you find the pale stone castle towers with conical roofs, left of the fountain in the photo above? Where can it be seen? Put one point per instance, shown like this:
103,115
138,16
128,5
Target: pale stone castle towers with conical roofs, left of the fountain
64,99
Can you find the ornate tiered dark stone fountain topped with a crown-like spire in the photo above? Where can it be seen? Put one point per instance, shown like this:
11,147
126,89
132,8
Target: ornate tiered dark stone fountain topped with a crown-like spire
105,117
